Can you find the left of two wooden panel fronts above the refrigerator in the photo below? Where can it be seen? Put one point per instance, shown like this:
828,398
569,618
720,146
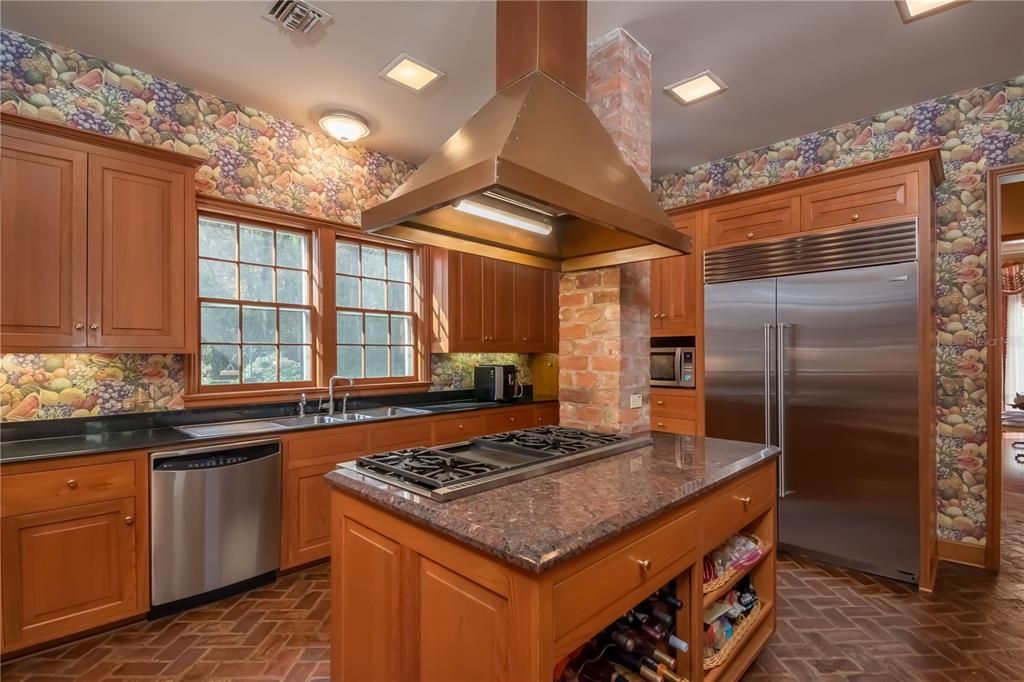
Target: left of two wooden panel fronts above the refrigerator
750,222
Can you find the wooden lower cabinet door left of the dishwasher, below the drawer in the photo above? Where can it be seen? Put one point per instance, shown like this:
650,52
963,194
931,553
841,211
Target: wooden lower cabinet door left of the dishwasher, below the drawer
66,571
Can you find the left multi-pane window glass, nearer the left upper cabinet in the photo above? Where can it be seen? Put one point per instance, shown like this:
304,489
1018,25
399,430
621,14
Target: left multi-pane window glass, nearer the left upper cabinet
255,308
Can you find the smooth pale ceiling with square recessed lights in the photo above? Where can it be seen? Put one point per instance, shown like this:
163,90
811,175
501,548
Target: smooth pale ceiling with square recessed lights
791,67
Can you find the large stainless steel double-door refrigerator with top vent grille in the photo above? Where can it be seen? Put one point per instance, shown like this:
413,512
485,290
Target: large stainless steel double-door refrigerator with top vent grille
813,345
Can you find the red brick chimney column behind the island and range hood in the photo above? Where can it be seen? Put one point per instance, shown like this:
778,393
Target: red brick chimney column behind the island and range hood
605,347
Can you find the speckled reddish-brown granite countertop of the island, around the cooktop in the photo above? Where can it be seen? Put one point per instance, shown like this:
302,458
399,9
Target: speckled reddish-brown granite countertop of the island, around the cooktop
538,524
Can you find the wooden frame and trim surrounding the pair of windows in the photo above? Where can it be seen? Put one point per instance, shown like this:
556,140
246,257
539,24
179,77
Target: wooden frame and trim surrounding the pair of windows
322,282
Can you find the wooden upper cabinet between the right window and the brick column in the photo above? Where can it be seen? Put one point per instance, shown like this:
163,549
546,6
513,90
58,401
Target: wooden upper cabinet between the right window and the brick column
487,306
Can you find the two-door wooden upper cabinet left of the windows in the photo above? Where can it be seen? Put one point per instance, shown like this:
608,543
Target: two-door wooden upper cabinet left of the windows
98,243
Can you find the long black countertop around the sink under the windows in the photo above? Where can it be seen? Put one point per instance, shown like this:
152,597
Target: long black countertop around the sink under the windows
161,432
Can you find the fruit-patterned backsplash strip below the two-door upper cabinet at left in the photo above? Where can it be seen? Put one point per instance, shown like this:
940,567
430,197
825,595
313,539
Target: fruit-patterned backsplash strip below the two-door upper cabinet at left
36,387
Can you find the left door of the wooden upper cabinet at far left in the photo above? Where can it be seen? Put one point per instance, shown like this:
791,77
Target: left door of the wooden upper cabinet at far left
44,275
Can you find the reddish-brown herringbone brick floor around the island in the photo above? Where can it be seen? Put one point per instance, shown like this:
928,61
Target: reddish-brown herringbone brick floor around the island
833,625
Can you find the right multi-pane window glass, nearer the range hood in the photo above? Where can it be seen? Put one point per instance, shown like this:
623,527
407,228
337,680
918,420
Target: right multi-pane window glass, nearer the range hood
374,316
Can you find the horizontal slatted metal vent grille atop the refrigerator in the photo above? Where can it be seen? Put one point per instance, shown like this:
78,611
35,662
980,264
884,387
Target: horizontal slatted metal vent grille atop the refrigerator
815,253
